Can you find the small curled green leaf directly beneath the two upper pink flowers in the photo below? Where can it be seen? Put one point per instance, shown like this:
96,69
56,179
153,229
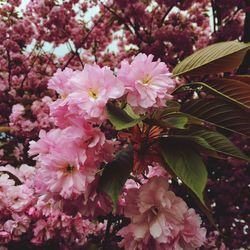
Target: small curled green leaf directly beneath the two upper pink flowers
120,118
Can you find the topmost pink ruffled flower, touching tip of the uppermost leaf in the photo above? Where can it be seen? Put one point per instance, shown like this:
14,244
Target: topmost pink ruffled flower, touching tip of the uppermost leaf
147,83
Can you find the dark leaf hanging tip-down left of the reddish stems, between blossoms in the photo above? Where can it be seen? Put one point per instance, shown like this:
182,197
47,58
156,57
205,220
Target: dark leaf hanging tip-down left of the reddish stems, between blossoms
115,175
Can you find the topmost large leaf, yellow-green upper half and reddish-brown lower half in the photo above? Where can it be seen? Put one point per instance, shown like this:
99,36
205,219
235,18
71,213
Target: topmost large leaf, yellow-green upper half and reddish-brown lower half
216,58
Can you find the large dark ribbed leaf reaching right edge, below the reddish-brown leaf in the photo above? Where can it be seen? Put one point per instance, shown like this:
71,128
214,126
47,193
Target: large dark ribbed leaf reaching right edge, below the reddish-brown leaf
220,113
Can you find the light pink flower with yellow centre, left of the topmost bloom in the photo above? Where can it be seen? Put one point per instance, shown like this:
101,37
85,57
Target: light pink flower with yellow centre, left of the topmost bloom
94,86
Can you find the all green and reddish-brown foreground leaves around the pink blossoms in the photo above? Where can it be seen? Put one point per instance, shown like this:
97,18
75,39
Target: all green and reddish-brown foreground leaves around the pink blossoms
189,127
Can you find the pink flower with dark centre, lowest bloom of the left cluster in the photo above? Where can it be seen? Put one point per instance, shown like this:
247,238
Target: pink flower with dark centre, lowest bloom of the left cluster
64,172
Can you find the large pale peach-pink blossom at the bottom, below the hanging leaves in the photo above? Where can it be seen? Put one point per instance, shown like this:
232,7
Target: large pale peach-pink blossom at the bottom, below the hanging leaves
158,216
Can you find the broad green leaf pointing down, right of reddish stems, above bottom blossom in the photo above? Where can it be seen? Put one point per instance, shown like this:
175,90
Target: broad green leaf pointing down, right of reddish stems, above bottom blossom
186,164
